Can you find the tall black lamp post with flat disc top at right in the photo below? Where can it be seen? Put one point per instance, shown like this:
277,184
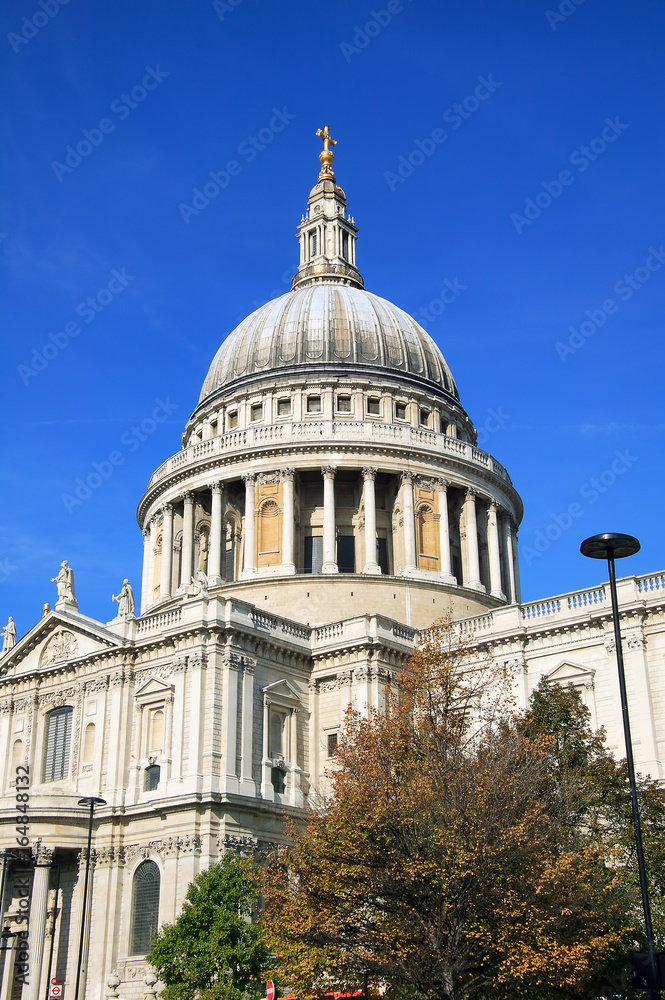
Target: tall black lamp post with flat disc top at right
613,546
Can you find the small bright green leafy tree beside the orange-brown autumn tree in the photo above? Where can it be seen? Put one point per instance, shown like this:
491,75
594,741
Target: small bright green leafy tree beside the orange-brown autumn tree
213,951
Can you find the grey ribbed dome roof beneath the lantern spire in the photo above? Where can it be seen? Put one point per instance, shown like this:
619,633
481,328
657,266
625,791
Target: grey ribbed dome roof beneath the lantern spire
324,326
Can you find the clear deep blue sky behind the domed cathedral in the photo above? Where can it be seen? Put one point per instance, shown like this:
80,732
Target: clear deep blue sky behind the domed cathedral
542,196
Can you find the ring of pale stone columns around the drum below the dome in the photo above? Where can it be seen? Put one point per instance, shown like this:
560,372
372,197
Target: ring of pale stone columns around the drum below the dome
497,524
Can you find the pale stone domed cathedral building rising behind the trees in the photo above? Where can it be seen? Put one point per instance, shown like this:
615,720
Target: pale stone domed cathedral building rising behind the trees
328,502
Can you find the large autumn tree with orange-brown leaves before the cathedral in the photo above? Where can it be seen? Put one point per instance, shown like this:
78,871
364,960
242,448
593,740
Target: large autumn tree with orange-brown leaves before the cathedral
449,861
